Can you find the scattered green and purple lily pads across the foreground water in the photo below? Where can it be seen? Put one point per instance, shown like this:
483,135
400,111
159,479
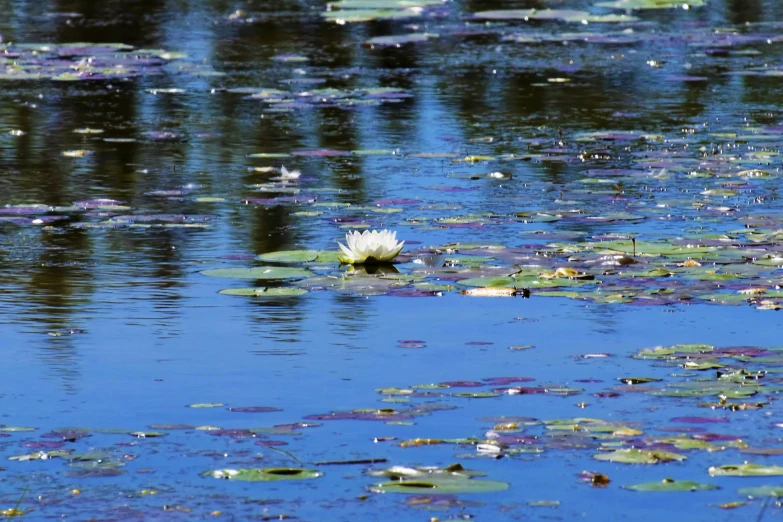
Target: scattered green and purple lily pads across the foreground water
731,375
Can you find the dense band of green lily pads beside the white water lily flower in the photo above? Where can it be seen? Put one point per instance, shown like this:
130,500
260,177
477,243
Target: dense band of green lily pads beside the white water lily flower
611,270
